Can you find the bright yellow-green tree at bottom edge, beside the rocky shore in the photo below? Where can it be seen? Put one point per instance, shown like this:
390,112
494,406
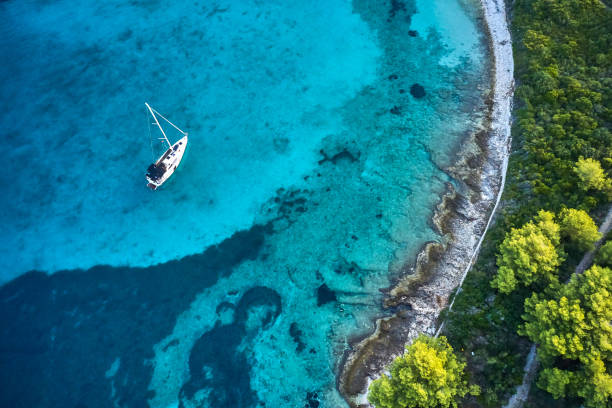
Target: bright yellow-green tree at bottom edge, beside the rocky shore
428,375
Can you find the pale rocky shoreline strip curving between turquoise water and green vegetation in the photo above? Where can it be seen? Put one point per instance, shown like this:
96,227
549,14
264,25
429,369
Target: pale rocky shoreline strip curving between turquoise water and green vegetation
462,218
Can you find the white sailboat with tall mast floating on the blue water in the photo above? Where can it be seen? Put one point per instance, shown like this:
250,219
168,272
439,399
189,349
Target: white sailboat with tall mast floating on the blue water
164,167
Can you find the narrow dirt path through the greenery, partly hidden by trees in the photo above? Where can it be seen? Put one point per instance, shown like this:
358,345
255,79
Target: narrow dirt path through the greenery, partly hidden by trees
531,366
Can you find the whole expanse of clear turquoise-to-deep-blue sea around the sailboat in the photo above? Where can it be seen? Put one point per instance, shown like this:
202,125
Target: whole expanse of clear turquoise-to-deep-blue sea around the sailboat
313,167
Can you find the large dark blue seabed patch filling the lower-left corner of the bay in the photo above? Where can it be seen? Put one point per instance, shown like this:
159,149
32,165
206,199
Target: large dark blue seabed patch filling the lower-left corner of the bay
53,326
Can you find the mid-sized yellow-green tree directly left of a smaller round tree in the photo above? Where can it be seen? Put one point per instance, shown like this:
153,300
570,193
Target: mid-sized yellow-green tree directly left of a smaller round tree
529,254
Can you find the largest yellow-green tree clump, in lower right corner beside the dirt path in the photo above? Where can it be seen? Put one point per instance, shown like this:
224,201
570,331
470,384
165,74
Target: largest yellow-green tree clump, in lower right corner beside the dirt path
572,327
